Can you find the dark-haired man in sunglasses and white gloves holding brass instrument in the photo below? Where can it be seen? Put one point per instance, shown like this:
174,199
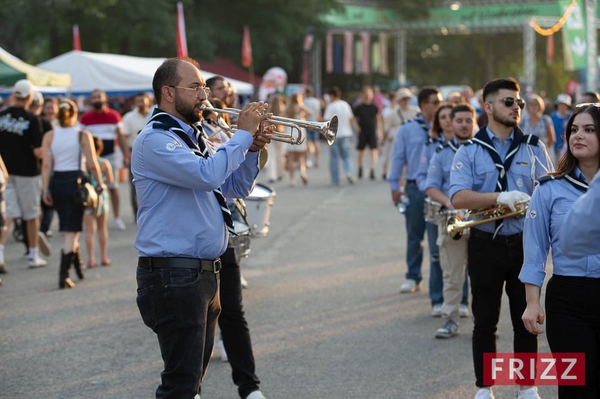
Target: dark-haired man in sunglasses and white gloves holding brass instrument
498,166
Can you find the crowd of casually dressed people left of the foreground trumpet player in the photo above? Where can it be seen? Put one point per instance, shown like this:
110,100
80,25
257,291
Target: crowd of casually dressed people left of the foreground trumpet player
43,160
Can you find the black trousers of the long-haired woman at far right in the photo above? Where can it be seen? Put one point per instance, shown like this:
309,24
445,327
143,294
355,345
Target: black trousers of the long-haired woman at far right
573,325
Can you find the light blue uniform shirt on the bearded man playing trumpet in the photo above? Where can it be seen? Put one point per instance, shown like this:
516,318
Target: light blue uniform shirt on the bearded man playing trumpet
179,215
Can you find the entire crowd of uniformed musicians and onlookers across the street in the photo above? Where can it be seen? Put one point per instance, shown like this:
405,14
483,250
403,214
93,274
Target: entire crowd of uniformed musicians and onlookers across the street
442,157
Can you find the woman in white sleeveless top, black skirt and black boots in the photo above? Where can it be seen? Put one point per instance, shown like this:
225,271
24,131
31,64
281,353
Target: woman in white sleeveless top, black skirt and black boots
63,150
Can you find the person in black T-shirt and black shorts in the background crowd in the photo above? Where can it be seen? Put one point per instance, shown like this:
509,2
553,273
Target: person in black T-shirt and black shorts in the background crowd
369,121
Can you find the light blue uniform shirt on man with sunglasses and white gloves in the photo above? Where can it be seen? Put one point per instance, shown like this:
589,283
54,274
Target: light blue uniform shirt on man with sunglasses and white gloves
473,169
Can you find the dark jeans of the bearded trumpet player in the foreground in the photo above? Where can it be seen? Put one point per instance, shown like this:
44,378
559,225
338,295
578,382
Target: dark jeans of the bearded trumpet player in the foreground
181,306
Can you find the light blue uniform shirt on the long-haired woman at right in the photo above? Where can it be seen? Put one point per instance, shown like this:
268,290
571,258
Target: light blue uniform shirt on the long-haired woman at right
546,216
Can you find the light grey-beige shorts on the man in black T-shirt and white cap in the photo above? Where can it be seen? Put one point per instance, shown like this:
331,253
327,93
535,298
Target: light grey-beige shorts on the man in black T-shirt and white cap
22,197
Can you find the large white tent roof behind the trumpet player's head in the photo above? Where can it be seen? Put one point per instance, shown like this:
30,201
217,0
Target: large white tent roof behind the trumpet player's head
114,73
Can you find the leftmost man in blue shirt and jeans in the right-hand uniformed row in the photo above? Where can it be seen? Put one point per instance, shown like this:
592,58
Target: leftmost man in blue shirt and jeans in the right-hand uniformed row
410,140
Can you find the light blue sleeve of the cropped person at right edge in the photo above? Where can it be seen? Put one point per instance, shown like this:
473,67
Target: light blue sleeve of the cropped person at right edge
580,235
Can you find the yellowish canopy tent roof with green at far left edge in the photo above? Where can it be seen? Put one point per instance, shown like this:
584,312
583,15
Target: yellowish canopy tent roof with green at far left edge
13,69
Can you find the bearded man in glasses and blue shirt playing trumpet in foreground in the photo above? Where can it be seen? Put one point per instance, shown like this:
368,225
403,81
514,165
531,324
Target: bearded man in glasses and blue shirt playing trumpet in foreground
184,221
